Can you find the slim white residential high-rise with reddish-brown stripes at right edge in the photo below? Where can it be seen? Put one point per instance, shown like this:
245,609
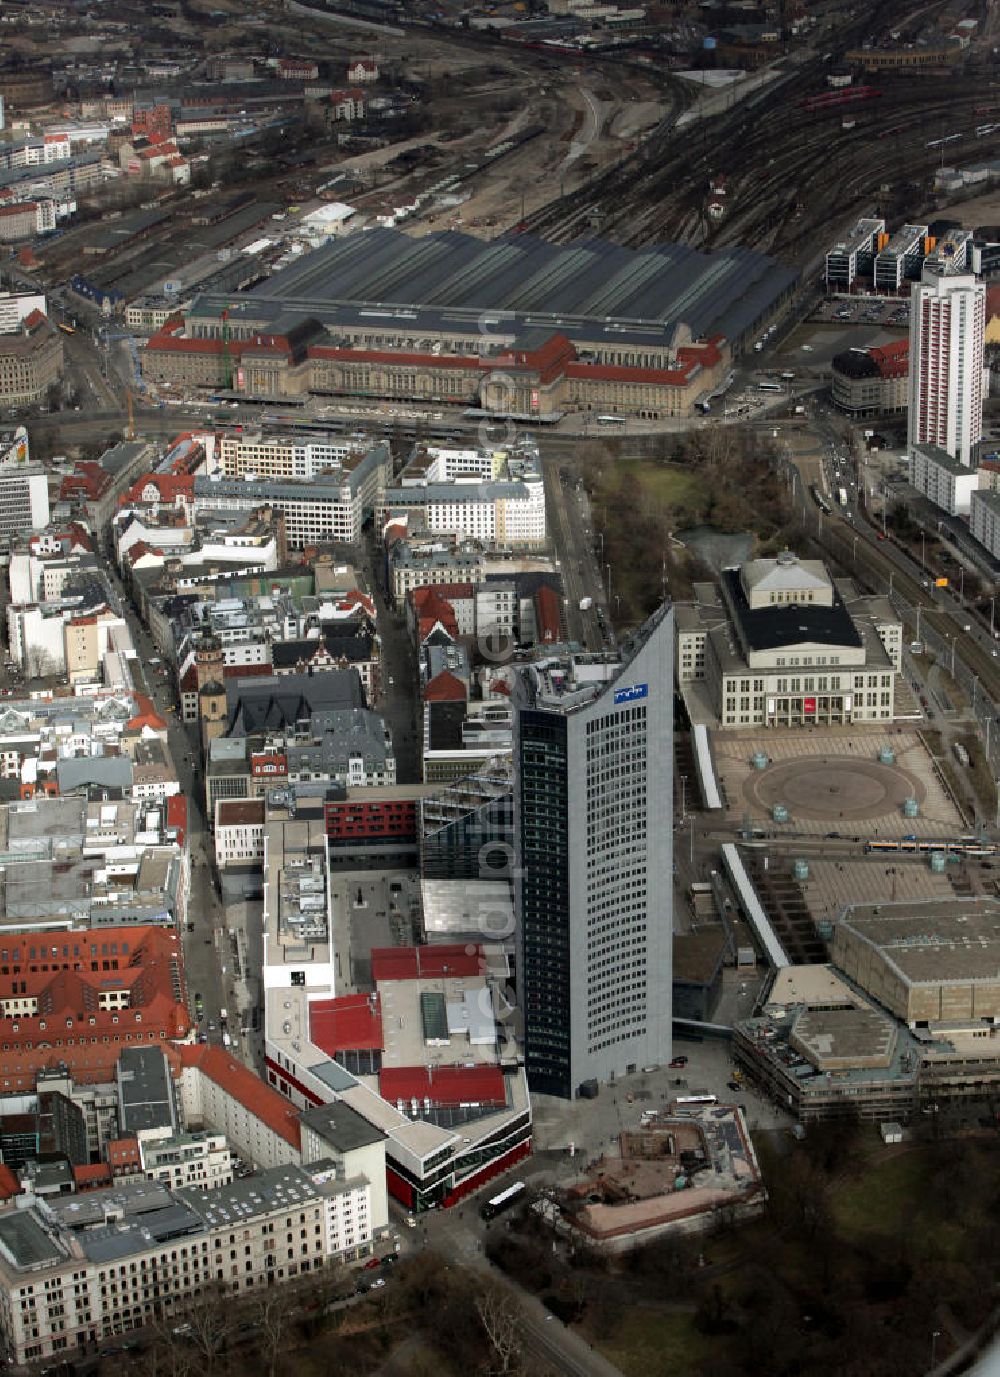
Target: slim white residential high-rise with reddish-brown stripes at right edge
947,328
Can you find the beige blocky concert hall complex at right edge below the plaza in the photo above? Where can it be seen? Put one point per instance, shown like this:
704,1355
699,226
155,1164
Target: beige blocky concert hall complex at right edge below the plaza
904,1017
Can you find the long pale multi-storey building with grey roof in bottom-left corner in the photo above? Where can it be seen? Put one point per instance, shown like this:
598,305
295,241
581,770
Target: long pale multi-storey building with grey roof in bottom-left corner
75,1270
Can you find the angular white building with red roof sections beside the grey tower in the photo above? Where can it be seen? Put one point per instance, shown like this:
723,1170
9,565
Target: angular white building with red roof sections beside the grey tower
419,1054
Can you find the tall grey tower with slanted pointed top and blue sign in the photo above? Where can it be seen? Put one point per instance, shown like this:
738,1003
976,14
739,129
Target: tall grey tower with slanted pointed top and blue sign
593,828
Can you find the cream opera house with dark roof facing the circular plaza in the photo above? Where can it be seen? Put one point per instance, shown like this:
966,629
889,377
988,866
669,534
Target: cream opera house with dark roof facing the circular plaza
779,644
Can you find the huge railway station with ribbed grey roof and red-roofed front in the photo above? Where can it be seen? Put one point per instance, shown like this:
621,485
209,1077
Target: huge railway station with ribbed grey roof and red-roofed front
514,327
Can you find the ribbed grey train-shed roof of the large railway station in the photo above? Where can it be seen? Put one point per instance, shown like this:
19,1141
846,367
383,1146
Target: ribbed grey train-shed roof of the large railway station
587,288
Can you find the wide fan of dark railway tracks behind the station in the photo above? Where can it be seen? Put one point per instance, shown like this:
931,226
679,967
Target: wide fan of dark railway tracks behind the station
790,170
